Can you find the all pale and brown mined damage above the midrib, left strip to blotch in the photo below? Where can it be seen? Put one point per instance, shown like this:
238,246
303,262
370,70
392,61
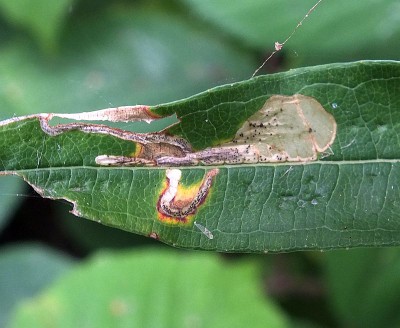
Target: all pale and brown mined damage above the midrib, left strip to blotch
287,128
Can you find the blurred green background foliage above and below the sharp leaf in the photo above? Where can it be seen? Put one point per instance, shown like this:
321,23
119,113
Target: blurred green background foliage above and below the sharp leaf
81,55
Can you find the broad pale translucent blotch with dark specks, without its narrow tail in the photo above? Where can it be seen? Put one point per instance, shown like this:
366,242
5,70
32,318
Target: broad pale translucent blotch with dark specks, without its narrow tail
287,128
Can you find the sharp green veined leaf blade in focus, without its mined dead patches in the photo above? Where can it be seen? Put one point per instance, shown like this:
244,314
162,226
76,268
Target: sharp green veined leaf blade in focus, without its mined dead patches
348,199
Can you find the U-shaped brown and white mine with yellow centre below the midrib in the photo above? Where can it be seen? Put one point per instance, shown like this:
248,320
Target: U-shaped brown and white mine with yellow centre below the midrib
176,203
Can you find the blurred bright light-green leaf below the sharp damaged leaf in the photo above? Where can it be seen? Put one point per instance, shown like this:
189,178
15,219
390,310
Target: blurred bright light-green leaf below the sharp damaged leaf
146,289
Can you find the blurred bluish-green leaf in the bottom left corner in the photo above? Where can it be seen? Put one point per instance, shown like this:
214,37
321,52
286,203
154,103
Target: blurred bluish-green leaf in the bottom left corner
25,271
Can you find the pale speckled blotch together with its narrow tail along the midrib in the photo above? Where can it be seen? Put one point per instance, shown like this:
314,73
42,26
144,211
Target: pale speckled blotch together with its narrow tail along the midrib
287,128
